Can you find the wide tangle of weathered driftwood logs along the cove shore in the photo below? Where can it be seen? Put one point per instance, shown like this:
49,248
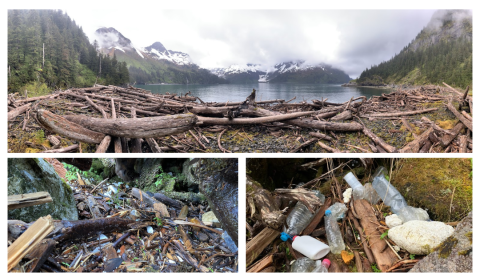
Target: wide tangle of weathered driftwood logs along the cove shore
127,117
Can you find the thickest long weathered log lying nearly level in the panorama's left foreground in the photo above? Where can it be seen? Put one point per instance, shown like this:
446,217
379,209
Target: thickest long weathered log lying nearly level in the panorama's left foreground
139,127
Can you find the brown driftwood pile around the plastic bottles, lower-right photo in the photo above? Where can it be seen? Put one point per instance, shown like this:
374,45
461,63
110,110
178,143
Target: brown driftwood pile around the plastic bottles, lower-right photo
361,228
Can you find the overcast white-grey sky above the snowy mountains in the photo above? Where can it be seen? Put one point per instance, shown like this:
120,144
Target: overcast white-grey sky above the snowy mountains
347,39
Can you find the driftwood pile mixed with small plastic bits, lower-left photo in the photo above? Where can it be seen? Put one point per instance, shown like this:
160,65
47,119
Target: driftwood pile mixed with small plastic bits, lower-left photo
129,231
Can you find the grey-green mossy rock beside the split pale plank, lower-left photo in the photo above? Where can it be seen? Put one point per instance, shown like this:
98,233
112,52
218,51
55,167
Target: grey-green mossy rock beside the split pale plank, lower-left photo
29,175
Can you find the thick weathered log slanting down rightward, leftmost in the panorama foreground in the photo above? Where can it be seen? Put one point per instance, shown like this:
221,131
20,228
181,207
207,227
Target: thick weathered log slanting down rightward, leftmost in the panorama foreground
62,126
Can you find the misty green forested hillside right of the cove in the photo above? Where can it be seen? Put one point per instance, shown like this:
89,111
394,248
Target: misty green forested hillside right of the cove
441,52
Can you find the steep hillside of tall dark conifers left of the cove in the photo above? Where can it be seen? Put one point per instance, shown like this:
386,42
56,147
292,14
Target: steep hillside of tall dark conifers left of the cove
47,49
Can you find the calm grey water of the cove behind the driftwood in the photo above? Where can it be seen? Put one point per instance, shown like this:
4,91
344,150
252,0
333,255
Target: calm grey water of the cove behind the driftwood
267,91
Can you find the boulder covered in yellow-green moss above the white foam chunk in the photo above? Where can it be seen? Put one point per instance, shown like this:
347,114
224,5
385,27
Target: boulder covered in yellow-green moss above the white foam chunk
441,185
